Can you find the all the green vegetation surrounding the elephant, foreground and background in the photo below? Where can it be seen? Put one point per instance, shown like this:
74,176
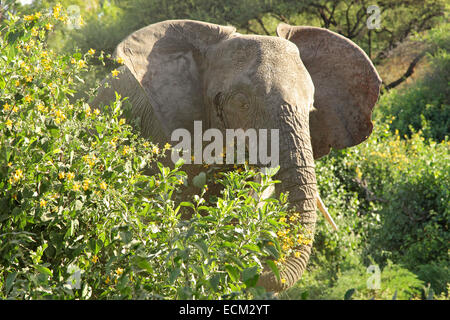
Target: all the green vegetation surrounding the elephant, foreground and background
78,219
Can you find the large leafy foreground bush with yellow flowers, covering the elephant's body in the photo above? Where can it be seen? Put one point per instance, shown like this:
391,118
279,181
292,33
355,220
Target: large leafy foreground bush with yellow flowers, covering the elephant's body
79,220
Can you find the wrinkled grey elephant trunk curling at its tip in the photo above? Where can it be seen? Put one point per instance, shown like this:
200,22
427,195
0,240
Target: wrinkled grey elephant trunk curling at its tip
297,177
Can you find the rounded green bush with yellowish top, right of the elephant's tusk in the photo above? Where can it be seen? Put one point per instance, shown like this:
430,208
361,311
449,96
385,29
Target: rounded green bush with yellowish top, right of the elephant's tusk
403,191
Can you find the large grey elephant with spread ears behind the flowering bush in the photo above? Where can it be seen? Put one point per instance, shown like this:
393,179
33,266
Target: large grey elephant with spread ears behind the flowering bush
315,86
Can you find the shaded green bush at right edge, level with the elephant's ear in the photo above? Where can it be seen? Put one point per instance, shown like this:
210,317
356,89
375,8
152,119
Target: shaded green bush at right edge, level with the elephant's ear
425,105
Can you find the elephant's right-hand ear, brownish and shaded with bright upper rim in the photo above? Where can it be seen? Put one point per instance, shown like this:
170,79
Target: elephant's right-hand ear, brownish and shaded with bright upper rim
346,85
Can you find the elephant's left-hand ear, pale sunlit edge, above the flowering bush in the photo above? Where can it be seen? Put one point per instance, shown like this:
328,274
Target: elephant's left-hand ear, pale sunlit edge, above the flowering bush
165,58
